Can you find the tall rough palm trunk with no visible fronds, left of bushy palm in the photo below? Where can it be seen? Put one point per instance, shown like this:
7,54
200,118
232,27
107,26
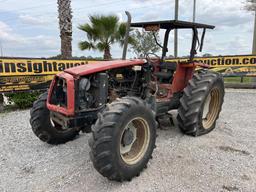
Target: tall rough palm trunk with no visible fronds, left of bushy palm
65,25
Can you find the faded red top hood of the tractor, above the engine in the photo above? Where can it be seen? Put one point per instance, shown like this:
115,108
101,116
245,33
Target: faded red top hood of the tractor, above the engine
102,66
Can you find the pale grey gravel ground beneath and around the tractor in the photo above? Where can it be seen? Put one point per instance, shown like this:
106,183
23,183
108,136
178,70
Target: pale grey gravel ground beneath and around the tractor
224,160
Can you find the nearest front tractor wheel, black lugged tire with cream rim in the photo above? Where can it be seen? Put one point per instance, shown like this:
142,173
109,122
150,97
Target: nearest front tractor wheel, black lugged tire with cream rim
123,139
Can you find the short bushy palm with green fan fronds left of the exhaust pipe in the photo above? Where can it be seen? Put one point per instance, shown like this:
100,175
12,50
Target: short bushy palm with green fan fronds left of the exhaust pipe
102,32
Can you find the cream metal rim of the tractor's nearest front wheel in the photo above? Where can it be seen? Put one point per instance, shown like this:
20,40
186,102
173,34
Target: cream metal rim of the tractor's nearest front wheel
133,151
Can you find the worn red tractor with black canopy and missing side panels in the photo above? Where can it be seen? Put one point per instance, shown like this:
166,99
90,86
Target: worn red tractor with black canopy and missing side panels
121,101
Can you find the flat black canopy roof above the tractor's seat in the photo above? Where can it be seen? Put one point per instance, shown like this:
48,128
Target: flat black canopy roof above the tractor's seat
173,24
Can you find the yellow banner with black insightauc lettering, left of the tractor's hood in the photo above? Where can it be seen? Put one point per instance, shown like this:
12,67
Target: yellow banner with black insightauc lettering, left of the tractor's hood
20,74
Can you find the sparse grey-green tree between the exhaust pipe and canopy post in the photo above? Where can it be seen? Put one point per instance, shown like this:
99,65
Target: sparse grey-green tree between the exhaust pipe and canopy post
144,42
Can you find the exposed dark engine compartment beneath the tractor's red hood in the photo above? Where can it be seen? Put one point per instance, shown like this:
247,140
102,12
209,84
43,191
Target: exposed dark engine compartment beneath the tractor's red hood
98,89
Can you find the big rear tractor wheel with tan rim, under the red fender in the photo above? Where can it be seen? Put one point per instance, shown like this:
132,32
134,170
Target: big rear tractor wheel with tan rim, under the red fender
201,103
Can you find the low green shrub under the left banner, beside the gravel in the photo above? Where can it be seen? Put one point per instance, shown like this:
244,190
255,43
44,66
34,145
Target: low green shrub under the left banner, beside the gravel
23,99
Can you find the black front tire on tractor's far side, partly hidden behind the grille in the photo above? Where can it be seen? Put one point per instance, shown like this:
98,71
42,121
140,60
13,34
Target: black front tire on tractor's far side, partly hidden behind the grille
44,128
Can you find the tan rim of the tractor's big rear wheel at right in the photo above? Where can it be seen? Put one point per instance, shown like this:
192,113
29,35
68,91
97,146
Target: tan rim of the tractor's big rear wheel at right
211,108
